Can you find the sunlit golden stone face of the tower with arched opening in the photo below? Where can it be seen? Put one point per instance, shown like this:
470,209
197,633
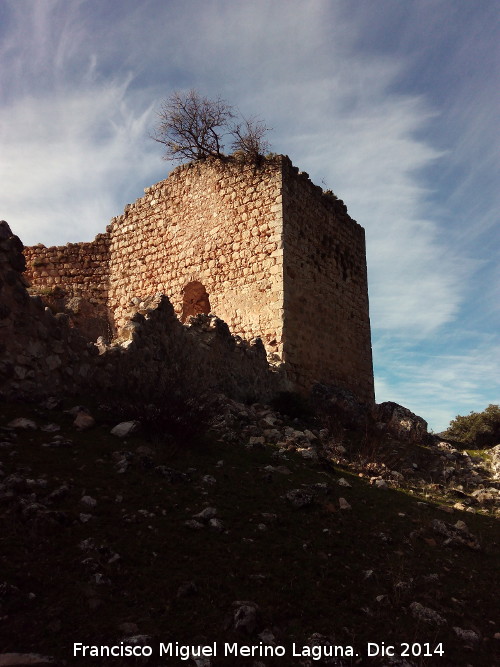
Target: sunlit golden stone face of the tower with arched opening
211,223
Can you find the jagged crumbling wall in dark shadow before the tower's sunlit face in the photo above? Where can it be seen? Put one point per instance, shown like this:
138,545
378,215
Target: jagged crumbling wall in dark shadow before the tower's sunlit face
41,355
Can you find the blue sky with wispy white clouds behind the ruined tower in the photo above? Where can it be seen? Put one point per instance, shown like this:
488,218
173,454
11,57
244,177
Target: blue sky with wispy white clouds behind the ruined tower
391,104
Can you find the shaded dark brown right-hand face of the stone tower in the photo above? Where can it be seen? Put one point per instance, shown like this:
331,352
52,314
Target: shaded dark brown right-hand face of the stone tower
327,326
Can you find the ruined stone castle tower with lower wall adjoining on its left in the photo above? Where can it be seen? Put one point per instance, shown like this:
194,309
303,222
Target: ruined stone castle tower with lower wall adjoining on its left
259,246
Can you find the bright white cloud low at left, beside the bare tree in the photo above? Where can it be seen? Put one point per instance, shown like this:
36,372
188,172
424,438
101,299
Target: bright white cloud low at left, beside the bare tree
64,170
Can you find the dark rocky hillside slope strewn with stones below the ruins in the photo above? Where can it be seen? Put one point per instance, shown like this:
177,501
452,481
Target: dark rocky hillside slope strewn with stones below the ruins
170,530
